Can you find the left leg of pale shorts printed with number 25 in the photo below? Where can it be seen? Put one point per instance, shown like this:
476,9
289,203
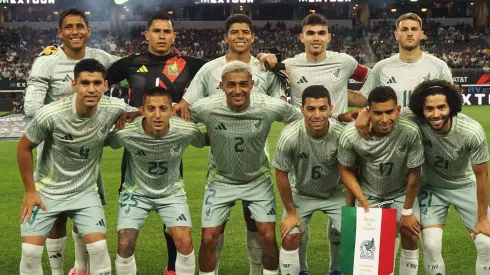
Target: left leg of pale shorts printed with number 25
133,211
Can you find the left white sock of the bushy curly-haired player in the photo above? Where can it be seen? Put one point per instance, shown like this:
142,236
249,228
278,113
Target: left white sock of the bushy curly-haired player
432,241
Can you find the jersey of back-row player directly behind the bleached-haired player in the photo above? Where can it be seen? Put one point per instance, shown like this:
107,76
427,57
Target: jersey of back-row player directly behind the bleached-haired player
207,81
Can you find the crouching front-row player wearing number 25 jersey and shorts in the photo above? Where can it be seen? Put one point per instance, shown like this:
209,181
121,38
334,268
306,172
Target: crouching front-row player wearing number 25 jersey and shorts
156,143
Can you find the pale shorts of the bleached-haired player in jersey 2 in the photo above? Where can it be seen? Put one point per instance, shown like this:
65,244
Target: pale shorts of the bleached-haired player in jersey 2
219,198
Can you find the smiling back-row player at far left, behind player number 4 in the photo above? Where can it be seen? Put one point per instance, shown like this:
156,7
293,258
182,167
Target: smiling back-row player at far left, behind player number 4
49,79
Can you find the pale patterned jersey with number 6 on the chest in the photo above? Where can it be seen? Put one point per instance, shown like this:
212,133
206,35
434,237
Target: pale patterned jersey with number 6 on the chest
311,162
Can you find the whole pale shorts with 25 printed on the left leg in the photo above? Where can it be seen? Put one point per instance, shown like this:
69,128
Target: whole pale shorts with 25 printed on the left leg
134,208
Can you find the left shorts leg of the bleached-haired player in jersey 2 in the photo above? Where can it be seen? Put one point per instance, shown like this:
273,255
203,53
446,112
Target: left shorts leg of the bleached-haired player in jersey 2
218,201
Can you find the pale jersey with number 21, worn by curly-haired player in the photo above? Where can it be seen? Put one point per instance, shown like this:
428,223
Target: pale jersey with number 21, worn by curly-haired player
449,158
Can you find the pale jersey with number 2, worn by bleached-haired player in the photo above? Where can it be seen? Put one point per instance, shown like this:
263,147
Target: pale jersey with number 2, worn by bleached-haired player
238,138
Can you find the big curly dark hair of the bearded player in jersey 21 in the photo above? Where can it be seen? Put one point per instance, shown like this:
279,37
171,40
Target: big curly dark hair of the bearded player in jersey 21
435,87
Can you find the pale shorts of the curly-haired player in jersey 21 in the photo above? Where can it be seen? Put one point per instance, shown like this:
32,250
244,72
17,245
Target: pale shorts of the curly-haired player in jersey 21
435,202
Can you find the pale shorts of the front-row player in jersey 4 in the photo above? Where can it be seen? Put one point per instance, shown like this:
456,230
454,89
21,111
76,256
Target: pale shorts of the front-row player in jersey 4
86,212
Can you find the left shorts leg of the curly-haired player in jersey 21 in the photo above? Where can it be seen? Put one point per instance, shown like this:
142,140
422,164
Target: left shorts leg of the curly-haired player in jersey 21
434,206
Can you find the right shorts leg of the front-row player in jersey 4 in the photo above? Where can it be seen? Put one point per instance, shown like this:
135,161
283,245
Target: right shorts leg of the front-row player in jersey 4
87,214
